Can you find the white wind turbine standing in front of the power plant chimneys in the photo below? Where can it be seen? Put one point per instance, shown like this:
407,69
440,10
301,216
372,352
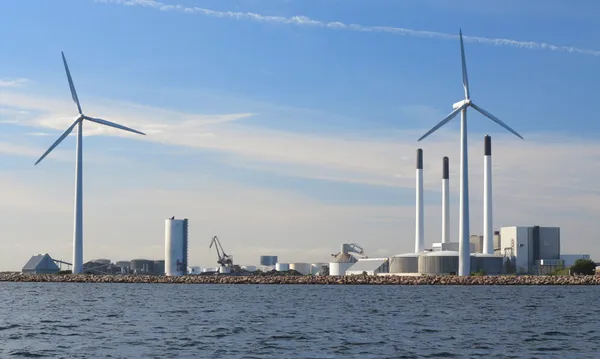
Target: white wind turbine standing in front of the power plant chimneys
464,265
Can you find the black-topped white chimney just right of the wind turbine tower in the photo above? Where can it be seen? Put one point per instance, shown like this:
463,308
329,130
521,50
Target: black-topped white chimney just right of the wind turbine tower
488,231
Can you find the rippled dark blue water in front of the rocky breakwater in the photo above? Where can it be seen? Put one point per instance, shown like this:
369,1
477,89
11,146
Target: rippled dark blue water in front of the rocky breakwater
253,321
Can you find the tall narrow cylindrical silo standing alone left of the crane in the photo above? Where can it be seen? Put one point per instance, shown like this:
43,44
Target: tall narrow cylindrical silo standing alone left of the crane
176,243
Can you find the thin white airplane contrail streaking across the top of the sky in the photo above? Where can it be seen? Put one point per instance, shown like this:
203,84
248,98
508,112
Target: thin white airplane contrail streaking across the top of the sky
305,21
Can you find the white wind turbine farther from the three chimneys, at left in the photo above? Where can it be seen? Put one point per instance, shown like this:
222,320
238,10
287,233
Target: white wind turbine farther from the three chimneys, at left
78,227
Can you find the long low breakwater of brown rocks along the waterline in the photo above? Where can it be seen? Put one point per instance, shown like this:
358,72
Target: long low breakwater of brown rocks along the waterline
316,280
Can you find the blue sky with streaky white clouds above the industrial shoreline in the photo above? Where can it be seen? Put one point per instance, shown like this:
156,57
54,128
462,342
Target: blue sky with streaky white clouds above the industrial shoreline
293,127
